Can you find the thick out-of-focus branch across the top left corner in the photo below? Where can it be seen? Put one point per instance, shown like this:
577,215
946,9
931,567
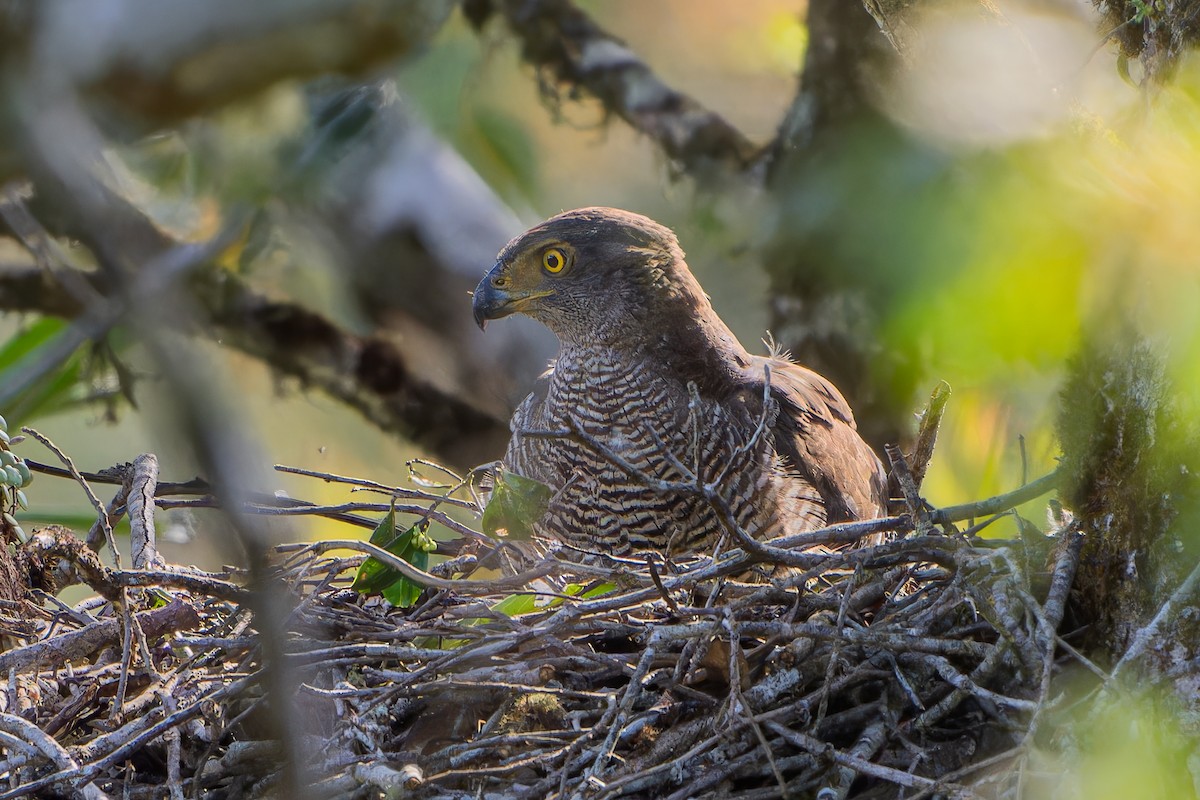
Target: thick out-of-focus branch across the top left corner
152,64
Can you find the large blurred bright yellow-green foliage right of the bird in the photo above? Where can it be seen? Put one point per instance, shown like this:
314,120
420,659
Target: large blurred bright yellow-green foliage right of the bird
986,266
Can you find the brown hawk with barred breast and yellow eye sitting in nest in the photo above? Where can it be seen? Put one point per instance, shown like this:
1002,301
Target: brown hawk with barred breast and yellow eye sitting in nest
653,395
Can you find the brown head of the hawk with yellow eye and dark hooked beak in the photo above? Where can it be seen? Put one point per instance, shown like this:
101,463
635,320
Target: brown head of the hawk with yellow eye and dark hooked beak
590,275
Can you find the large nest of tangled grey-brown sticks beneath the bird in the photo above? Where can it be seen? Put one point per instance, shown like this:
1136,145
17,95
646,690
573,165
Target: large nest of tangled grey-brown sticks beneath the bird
905,669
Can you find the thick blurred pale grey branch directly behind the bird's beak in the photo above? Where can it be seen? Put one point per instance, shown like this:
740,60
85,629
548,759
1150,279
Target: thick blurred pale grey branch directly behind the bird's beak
413,228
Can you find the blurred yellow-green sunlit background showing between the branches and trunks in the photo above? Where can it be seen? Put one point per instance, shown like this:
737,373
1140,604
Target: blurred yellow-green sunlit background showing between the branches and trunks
1041,191
